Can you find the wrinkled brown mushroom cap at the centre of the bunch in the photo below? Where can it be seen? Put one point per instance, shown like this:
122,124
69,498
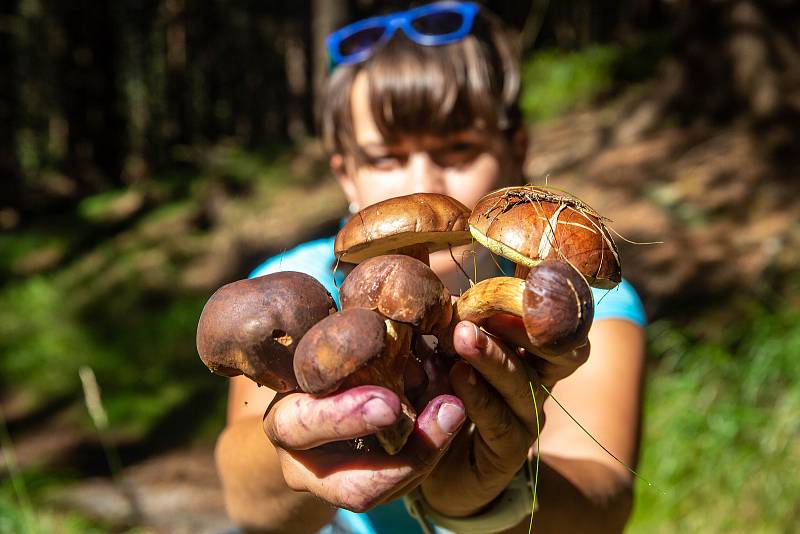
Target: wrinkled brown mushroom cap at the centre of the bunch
400,288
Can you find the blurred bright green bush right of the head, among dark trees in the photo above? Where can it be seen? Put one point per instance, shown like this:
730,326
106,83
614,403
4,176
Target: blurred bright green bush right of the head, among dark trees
556,82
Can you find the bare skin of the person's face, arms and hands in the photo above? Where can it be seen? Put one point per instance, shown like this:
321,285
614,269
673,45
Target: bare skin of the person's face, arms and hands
460,467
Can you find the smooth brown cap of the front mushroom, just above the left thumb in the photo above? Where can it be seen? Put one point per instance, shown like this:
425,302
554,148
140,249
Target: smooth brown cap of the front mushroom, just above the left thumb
337,347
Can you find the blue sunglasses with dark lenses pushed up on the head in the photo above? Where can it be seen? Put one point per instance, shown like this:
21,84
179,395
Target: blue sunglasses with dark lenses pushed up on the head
435,24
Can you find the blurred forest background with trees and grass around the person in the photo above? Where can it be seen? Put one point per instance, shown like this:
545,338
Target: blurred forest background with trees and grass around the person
153,150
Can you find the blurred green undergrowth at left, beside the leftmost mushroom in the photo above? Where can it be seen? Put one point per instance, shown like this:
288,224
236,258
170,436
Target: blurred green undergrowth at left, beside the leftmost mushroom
143,354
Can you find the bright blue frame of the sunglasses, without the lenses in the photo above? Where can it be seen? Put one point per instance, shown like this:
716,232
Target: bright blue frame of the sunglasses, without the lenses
401,20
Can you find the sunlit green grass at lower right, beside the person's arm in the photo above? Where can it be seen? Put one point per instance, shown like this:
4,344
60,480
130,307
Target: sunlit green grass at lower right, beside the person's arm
721,427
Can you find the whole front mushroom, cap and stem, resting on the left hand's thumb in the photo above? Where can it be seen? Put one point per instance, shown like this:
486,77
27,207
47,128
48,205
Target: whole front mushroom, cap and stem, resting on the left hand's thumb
352,348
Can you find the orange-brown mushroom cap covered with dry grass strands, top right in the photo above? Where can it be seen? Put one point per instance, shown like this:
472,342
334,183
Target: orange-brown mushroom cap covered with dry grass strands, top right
529,224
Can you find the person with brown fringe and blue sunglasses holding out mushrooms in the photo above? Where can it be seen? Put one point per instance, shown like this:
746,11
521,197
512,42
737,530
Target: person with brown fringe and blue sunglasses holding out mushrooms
426,101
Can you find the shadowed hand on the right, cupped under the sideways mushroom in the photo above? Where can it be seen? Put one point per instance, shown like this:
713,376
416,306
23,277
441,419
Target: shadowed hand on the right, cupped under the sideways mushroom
495,385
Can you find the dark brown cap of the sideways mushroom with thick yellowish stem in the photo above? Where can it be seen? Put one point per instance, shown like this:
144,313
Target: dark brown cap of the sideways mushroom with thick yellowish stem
558,307
